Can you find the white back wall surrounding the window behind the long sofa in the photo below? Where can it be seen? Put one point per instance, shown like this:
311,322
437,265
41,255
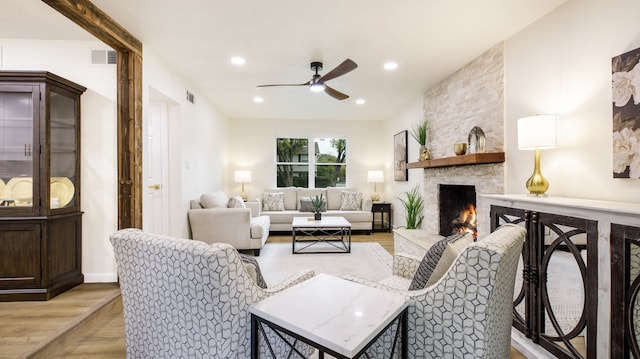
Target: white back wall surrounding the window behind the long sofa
252,147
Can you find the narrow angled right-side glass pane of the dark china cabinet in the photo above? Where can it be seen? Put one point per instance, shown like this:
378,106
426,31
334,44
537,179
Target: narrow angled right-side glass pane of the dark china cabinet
64,147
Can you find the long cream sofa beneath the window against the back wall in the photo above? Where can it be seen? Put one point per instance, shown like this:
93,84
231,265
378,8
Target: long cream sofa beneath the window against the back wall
281,220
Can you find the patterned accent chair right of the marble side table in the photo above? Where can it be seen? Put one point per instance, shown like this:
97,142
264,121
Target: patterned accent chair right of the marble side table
468,312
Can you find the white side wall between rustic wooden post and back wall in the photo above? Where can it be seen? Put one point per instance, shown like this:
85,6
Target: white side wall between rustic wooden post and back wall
197,139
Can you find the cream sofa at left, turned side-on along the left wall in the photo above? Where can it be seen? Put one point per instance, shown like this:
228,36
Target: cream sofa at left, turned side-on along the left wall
215,218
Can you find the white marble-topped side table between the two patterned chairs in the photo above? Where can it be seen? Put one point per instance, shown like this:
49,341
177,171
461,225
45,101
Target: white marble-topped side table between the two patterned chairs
338,317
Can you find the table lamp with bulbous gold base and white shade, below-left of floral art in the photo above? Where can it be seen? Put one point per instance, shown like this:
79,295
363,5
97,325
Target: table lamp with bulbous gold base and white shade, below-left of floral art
536,133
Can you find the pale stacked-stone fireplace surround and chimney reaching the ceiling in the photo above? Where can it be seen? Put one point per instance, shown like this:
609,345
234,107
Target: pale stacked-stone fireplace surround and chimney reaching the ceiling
472,96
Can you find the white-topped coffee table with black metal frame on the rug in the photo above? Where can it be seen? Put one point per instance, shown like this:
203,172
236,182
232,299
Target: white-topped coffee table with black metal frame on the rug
328,235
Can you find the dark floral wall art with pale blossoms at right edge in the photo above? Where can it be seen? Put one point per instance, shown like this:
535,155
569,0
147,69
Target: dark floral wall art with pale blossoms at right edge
626,114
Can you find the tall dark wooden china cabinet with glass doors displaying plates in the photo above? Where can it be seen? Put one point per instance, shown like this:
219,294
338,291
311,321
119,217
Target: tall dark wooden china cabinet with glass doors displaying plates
40,217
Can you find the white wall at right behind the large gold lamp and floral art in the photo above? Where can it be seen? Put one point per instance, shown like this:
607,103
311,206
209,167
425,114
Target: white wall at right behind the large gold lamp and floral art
562,64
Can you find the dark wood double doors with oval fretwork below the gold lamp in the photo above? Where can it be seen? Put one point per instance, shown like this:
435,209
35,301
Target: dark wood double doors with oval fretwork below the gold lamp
557,301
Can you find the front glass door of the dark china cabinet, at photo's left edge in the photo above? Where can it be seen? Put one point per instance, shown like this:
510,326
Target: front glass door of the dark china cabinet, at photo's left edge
17,105
